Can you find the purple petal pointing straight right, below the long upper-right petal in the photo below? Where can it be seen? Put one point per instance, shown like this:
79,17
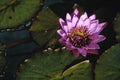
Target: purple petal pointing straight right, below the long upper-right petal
97,38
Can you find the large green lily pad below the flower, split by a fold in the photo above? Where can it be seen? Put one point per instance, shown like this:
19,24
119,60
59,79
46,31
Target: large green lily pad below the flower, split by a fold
60,65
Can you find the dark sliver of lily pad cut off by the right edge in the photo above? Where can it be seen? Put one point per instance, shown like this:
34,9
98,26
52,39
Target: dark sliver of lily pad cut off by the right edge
117,26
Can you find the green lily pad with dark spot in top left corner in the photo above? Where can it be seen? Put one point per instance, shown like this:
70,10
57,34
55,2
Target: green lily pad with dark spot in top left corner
16,12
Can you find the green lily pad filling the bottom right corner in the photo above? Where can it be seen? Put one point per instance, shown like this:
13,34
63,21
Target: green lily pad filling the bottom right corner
108,66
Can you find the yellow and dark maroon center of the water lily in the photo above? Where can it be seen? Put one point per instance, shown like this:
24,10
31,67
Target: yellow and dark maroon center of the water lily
79,37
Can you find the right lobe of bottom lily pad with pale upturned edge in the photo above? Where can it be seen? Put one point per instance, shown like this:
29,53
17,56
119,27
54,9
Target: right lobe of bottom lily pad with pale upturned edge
81,71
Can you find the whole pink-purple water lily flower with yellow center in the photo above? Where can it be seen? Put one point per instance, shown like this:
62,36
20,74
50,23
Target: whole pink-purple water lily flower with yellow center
80,34
